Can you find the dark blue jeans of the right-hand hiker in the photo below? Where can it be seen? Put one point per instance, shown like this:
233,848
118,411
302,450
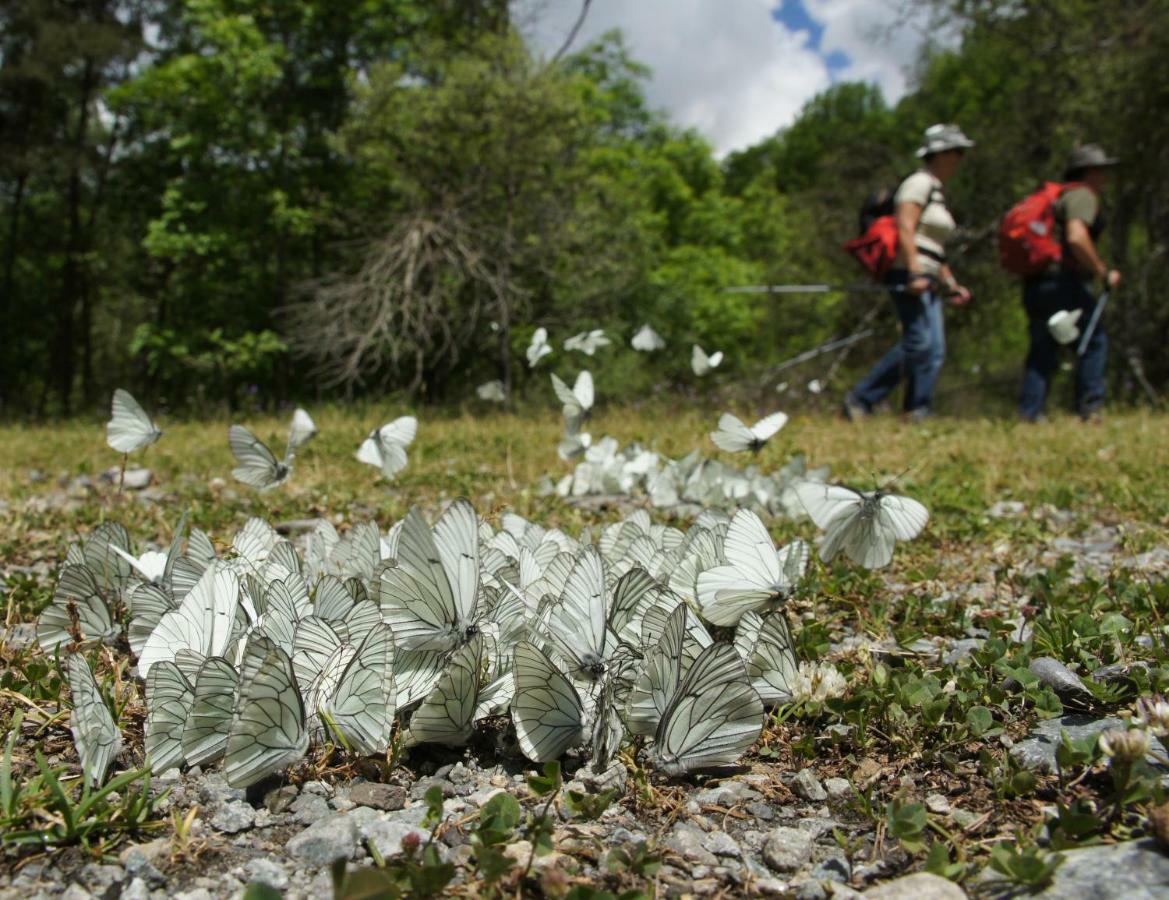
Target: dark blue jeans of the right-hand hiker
1045,296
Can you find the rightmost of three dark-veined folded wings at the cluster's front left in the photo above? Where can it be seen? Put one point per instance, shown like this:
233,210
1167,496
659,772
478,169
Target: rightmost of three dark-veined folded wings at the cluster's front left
268,724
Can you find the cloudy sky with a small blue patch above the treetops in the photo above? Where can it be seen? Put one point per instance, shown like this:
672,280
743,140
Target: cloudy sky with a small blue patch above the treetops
737,71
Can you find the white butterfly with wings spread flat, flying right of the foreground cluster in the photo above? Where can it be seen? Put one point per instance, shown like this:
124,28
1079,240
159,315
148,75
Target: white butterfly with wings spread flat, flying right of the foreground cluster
862,525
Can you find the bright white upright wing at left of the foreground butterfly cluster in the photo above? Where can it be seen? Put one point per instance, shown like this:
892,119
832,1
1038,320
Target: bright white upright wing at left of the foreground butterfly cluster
204,622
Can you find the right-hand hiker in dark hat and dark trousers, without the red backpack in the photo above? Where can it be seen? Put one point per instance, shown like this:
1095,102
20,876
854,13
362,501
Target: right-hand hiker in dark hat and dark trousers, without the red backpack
1068,287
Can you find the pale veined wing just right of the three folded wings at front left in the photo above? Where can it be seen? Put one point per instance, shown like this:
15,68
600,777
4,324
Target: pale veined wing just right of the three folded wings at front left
363,704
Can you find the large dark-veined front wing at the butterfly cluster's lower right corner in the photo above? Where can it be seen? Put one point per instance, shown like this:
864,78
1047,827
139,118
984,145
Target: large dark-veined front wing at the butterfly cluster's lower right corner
714,717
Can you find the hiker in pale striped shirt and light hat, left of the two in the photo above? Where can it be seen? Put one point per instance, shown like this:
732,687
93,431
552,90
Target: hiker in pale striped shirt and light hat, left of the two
919,281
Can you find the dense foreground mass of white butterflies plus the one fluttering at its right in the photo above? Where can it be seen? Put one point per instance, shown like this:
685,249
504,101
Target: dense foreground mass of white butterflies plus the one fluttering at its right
257,655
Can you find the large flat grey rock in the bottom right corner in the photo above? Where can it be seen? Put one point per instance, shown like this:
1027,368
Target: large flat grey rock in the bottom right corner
1136,870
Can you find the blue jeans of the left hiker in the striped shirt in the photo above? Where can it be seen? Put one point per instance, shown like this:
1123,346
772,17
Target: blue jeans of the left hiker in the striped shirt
918,356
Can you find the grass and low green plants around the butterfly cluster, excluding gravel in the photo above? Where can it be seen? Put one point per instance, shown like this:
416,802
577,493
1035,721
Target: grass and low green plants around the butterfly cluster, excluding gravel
905,728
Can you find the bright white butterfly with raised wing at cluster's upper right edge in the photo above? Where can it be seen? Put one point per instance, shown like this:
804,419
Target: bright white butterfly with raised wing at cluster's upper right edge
756,574
